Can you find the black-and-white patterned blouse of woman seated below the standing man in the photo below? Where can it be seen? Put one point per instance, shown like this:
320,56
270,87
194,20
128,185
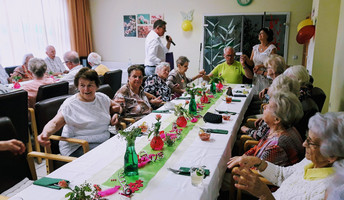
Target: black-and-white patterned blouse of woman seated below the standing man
157,87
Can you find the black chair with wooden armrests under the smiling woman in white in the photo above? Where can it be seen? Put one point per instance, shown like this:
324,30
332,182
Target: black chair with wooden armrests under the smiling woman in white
44,111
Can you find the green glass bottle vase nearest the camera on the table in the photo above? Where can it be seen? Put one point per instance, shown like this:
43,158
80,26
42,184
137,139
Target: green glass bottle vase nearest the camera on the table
131,167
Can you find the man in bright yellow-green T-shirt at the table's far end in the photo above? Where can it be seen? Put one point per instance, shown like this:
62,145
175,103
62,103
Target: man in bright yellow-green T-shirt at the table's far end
231,71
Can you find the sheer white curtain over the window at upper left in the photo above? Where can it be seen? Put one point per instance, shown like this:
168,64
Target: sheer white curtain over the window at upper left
29,26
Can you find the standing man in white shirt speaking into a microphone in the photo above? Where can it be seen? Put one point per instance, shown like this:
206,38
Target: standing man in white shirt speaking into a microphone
154,49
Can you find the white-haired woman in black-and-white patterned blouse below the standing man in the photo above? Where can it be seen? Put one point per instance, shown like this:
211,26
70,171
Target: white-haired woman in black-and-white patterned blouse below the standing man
155,84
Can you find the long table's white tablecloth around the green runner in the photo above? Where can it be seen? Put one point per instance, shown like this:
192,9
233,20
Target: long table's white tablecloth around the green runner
100,163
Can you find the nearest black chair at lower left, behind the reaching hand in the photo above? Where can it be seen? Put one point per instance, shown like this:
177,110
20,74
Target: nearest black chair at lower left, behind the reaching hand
13,168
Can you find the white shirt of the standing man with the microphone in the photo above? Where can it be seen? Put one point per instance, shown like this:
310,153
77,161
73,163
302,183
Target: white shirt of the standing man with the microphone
154,49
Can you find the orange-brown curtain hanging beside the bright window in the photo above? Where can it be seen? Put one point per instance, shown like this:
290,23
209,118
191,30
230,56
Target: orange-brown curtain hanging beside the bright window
80,26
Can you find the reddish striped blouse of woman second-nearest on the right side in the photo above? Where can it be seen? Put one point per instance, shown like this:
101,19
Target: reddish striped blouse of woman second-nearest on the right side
284,149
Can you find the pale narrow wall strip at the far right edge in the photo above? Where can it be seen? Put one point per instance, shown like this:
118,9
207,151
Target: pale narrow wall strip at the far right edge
337,86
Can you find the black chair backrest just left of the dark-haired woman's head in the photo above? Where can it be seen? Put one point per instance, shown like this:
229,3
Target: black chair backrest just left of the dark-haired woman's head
52,90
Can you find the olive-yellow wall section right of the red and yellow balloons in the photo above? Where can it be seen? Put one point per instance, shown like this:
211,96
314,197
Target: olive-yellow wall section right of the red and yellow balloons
325,46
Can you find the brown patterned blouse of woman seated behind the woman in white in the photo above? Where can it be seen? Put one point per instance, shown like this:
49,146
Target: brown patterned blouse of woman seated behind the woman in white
134,105
